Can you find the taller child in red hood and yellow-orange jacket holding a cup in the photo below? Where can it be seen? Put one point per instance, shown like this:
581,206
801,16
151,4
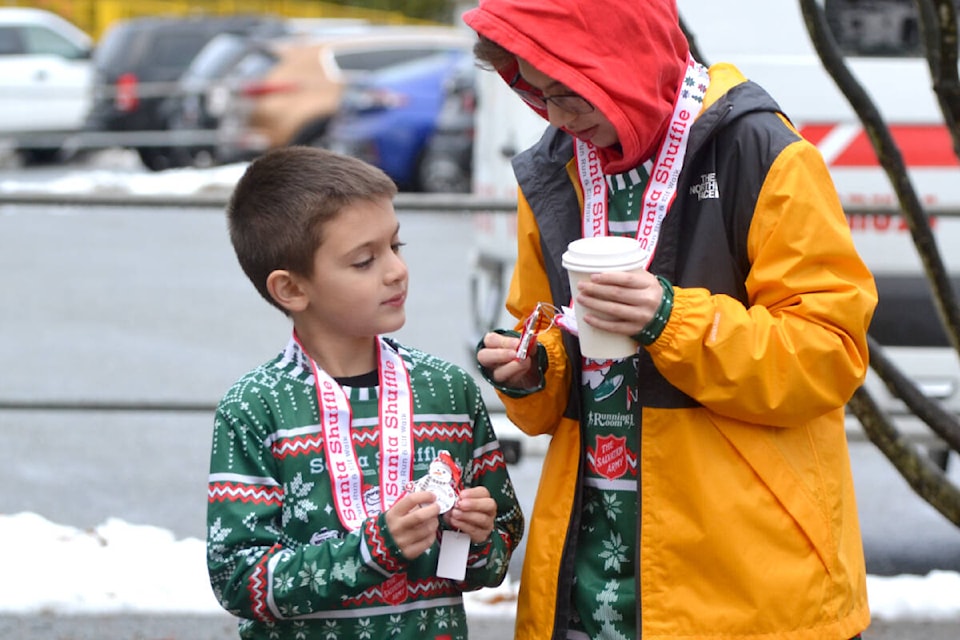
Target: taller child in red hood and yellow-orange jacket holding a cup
700,488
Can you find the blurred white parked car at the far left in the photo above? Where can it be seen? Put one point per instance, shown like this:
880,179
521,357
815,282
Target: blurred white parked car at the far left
45,80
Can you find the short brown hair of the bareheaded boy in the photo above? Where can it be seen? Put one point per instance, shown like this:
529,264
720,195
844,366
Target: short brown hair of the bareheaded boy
281,203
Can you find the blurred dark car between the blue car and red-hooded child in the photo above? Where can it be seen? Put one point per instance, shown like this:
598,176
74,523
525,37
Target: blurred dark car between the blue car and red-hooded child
447,165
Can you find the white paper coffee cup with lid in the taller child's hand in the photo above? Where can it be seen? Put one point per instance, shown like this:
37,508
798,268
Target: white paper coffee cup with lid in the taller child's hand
596,255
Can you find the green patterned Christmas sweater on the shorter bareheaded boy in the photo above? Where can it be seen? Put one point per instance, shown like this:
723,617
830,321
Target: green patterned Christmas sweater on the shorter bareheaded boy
277,554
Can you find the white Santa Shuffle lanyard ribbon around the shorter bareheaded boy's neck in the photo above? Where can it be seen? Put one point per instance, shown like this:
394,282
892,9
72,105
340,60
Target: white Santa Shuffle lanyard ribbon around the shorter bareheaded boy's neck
396,436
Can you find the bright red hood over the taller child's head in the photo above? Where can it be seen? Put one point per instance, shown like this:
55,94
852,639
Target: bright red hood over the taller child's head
627,58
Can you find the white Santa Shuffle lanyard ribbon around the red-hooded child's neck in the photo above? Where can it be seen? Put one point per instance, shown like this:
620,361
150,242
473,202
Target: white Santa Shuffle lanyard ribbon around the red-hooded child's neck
661,188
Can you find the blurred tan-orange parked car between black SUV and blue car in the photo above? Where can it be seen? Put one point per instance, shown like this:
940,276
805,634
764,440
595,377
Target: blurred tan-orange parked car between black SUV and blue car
294,100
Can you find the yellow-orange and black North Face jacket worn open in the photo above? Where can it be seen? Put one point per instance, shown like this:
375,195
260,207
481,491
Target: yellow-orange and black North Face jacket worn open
748,522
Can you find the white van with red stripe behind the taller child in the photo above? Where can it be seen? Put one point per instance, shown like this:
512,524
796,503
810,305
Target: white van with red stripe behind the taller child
769,43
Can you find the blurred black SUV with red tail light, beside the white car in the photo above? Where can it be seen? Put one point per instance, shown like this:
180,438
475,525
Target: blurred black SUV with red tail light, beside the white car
138,63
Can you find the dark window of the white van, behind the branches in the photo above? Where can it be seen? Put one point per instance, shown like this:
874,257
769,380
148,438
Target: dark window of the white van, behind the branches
882,28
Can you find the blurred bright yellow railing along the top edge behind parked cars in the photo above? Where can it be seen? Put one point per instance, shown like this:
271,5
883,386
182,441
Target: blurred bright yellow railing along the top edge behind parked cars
95,16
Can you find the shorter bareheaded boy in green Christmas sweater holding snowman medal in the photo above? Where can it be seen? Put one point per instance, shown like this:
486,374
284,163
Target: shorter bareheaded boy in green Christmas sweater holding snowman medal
316,525
